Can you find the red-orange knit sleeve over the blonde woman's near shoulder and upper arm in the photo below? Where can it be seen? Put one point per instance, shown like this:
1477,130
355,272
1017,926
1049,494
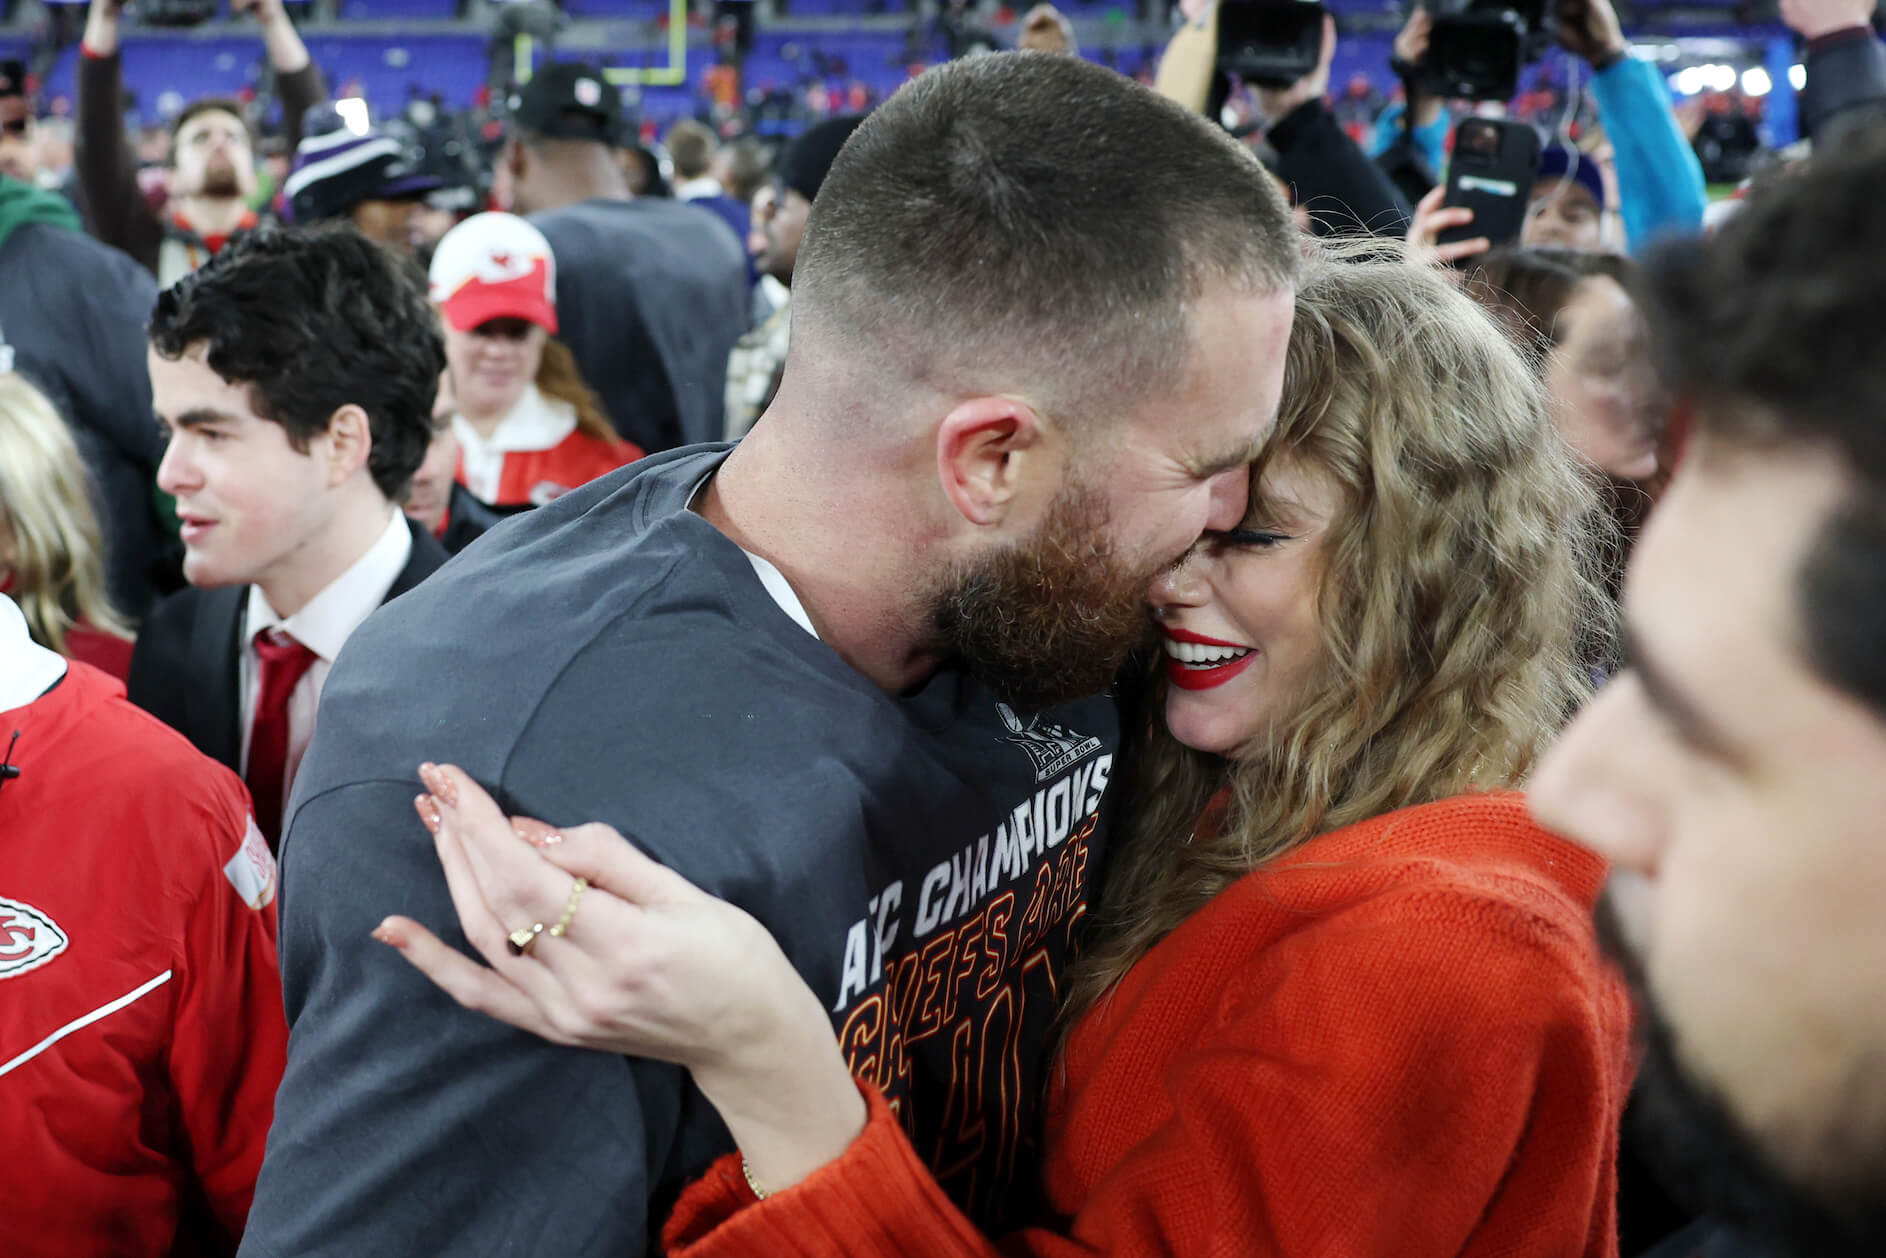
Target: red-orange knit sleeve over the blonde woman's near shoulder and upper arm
1431,1072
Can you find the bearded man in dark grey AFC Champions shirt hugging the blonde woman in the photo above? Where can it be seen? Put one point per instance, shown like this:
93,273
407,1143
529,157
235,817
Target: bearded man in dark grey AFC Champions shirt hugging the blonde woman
848,674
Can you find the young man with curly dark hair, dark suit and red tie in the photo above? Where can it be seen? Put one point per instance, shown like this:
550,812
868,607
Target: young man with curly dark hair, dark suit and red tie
295,378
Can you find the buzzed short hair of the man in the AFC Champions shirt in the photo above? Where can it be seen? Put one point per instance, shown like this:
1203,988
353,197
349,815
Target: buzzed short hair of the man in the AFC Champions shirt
1034,225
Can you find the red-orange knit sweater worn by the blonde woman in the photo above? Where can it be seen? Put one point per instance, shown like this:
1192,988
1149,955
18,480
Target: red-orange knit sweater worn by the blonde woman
1397,1042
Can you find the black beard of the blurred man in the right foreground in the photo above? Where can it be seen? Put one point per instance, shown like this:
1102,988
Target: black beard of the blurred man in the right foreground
1712,1165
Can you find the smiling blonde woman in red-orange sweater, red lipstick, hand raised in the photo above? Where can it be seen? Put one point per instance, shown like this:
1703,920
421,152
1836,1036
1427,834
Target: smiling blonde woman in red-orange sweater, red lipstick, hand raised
1344,995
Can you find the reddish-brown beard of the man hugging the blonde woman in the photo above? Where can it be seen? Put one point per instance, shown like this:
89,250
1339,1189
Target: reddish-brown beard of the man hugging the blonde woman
1055,618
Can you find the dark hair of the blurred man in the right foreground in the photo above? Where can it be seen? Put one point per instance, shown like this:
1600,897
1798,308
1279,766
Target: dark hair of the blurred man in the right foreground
1774,331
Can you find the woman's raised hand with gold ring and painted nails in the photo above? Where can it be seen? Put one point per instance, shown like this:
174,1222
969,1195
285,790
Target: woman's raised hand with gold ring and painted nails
646,965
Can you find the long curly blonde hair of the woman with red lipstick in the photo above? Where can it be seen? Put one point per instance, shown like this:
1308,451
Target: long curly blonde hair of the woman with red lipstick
1457,578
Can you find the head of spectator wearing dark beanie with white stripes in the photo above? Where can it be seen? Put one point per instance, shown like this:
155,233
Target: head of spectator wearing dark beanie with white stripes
371,180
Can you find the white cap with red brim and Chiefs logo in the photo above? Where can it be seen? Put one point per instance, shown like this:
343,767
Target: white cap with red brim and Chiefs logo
495,267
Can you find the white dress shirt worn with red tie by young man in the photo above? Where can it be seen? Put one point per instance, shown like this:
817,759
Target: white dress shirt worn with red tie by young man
323,627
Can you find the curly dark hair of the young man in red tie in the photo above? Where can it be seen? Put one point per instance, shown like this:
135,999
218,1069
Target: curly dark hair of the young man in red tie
316,320
